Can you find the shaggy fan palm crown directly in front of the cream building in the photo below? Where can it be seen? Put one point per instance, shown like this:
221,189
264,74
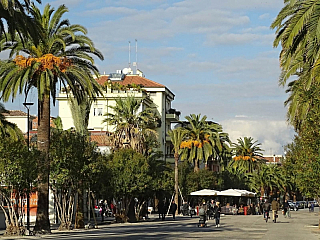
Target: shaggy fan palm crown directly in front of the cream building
133,128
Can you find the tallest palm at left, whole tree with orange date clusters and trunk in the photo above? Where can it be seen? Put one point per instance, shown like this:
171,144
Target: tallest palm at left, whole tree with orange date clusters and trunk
62,56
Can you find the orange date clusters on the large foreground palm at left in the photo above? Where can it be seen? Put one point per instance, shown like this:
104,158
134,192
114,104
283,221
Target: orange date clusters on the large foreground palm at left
48,61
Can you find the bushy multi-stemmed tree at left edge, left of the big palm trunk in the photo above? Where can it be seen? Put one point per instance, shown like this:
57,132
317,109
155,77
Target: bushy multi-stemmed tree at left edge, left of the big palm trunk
18,171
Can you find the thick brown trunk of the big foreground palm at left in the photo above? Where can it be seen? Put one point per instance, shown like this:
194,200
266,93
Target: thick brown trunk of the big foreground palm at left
42,219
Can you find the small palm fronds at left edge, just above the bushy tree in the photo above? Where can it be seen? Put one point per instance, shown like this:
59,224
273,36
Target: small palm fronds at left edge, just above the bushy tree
8,129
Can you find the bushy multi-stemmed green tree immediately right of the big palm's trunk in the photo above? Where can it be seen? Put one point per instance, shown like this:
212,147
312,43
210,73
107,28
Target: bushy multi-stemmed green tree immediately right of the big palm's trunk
74,163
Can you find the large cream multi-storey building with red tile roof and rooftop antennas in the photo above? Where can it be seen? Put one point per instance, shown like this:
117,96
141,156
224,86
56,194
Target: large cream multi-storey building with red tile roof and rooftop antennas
154,94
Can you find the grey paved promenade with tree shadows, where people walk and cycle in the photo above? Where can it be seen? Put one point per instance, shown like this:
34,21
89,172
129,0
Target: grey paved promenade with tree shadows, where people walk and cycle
302,225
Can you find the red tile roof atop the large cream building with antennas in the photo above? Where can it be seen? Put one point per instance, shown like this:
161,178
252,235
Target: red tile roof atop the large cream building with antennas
130,79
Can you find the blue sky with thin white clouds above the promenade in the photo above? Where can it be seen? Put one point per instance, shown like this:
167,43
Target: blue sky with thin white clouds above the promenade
216,56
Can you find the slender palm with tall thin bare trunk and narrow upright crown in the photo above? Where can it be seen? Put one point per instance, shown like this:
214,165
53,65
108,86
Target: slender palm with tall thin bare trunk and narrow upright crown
176,136
